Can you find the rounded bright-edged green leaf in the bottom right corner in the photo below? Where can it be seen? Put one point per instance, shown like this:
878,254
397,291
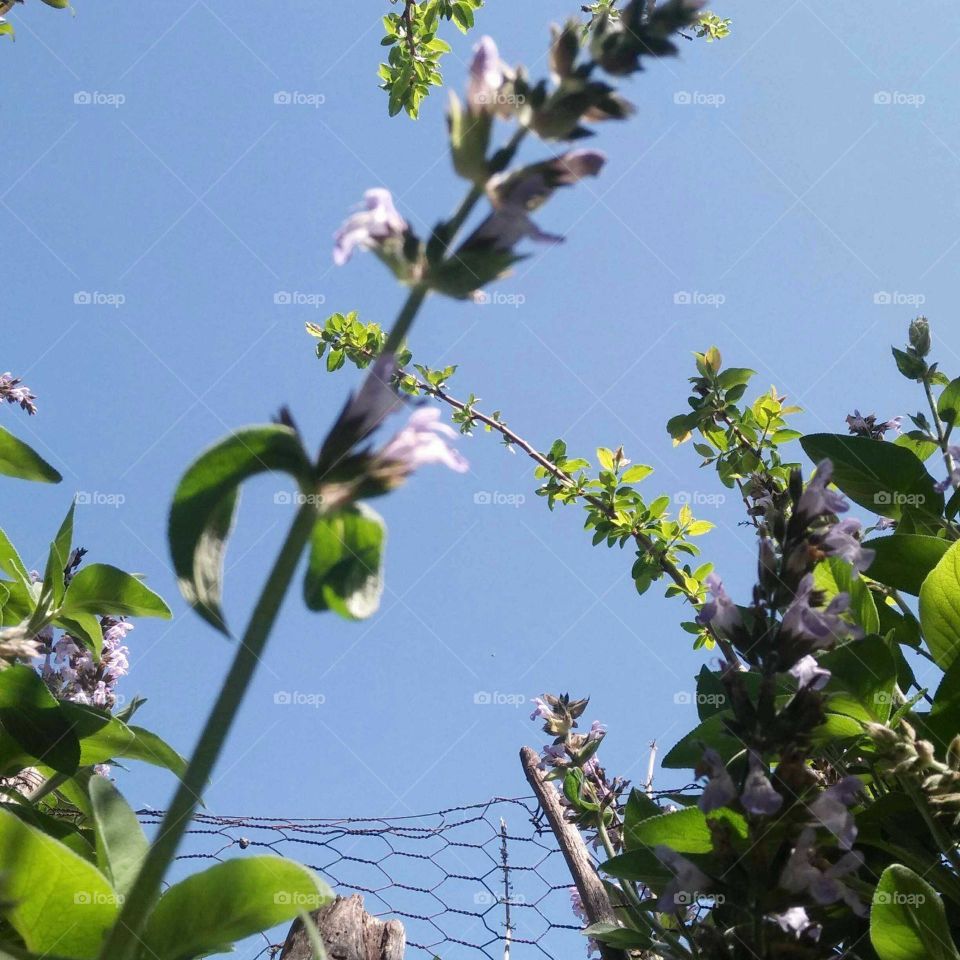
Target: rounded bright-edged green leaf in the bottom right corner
907,919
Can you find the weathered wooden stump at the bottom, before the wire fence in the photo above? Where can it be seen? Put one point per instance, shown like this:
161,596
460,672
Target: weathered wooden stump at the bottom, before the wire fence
349,933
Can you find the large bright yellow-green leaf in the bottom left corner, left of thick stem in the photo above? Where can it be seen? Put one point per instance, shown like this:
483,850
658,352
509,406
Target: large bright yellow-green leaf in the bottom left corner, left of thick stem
50,893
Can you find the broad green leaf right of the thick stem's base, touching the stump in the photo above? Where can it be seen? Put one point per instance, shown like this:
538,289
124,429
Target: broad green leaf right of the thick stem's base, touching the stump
212,909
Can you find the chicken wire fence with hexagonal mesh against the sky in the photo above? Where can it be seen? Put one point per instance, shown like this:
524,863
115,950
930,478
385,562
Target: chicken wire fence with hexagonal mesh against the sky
467,882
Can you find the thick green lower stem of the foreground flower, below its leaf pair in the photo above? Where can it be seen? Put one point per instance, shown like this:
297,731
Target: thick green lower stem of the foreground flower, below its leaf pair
124,943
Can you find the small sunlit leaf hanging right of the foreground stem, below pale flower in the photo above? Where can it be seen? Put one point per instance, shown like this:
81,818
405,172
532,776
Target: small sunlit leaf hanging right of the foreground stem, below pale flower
345,571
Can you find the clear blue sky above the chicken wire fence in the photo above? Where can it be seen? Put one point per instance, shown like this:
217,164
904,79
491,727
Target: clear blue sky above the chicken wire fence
806,198
